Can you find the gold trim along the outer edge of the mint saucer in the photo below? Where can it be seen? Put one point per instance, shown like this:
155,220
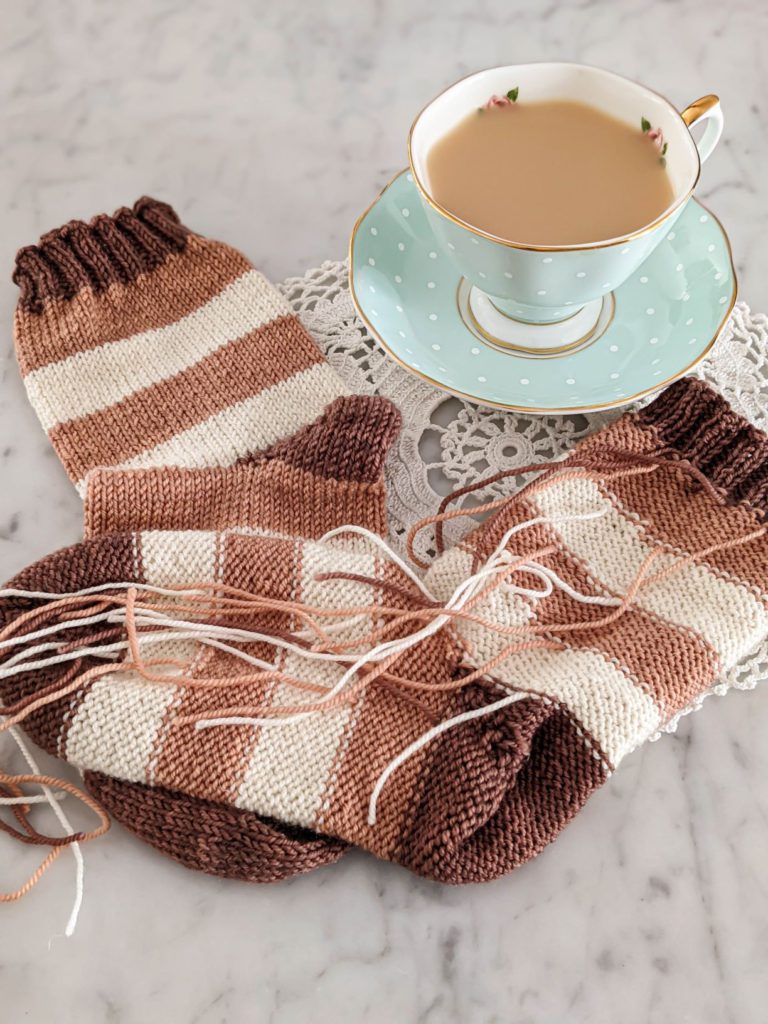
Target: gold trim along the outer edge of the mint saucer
532,410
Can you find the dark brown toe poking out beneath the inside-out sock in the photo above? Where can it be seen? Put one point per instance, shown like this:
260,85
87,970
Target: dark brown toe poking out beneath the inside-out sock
210,837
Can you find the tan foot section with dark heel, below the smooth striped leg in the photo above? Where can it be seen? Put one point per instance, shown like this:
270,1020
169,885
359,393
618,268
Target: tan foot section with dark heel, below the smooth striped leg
327,475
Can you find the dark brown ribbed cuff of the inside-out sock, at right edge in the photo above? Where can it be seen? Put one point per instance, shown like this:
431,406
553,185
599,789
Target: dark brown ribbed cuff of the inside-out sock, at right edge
700,424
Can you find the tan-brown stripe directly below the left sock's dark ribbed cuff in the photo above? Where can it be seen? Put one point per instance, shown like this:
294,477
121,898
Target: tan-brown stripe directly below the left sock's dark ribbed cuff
183,284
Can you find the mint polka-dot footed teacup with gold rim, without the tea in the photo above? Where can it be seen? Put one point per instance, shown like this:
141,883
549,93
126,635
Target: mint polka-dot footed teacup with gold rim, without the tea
561,290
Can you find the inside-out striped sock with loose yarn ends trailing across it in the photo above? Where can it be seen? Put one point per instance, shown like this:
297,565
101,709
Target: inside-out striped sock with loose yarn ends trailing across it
600,604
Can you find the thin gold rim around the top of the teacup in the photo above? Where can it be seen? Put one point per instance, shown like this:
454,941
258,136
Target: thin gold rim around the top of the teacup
609,243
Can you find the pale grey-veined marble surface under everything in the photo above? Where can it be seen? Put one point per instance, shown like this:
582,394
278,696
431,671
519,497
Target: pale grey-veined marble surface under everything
272,125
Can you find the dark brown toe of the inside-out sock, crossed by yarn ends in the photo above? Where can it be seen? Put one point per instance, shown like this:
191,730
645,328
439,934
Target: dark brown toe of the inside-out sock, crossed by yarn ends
106,561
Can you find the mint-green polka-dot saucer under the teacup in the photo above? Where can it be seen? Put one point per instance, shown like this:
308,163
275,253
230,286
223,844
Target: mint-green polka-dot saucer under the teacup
652,330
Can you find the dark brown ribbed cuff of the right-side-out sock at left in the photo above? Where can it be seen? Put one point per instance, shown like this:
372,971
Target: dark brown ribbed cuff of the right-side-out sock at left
95,255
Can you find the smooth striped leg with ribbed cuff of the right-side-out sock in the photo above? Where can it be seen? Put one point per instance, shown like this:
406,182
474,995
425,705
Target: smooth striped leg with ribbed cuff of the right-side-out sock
144,345
